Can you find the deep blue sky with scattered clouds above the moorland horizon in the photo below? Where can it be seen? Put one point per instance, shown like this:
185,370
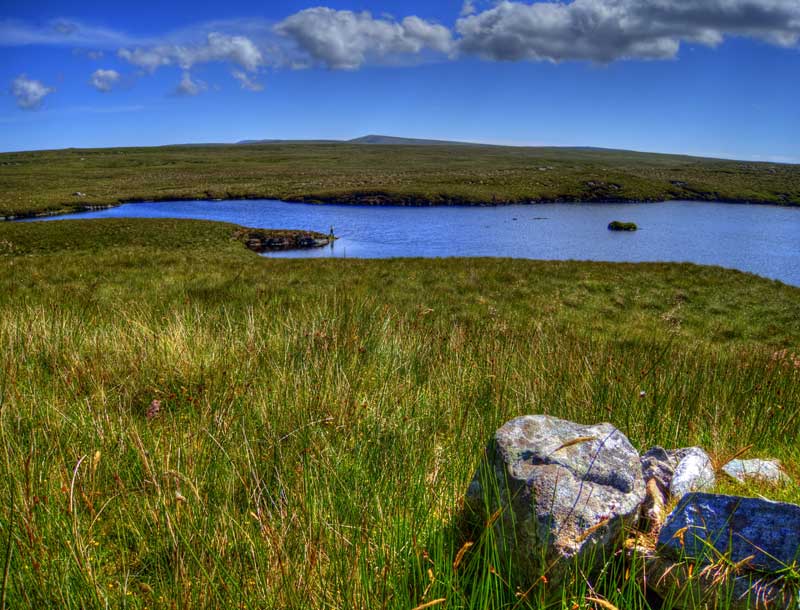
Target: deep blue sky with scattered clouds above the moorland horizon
705,77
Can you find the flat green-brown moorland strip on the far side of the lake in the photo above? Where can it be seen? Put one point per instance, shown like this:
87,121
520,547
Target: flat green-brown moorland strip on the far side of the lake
47,182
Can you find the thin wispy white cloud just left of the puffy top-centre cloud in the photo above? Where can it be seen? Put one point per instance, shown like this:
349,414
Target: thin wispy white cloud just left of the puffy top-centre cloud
217,47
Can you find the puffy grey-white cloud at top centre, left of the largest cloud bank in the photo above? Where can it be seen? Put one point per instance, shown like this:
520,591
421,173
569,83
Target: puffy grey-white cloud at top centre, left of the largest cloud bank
347,40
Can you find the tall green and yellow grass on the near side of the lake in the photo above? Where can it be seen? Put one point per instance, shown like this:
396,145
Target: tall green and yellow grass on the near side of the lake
320,420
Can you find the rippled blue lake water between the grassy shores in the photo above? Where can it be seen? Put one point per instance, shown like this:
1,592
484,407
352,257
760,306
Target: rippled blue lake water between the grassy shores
757,238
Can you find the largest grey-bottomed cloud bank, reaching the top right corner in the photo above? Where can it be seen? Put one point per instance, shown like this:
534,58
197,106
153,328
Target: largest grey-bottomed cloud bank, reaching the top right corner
607,30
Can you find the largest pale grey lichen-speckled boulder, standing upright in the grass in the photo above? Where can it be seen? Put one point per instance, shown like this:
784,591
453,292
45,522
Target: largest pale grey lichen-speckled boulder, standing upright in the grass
557,493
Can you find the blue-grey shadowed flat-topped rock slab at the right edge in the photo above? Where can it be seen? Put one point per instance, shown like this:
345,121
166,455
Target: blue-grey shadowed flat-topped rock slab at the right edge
705,527
